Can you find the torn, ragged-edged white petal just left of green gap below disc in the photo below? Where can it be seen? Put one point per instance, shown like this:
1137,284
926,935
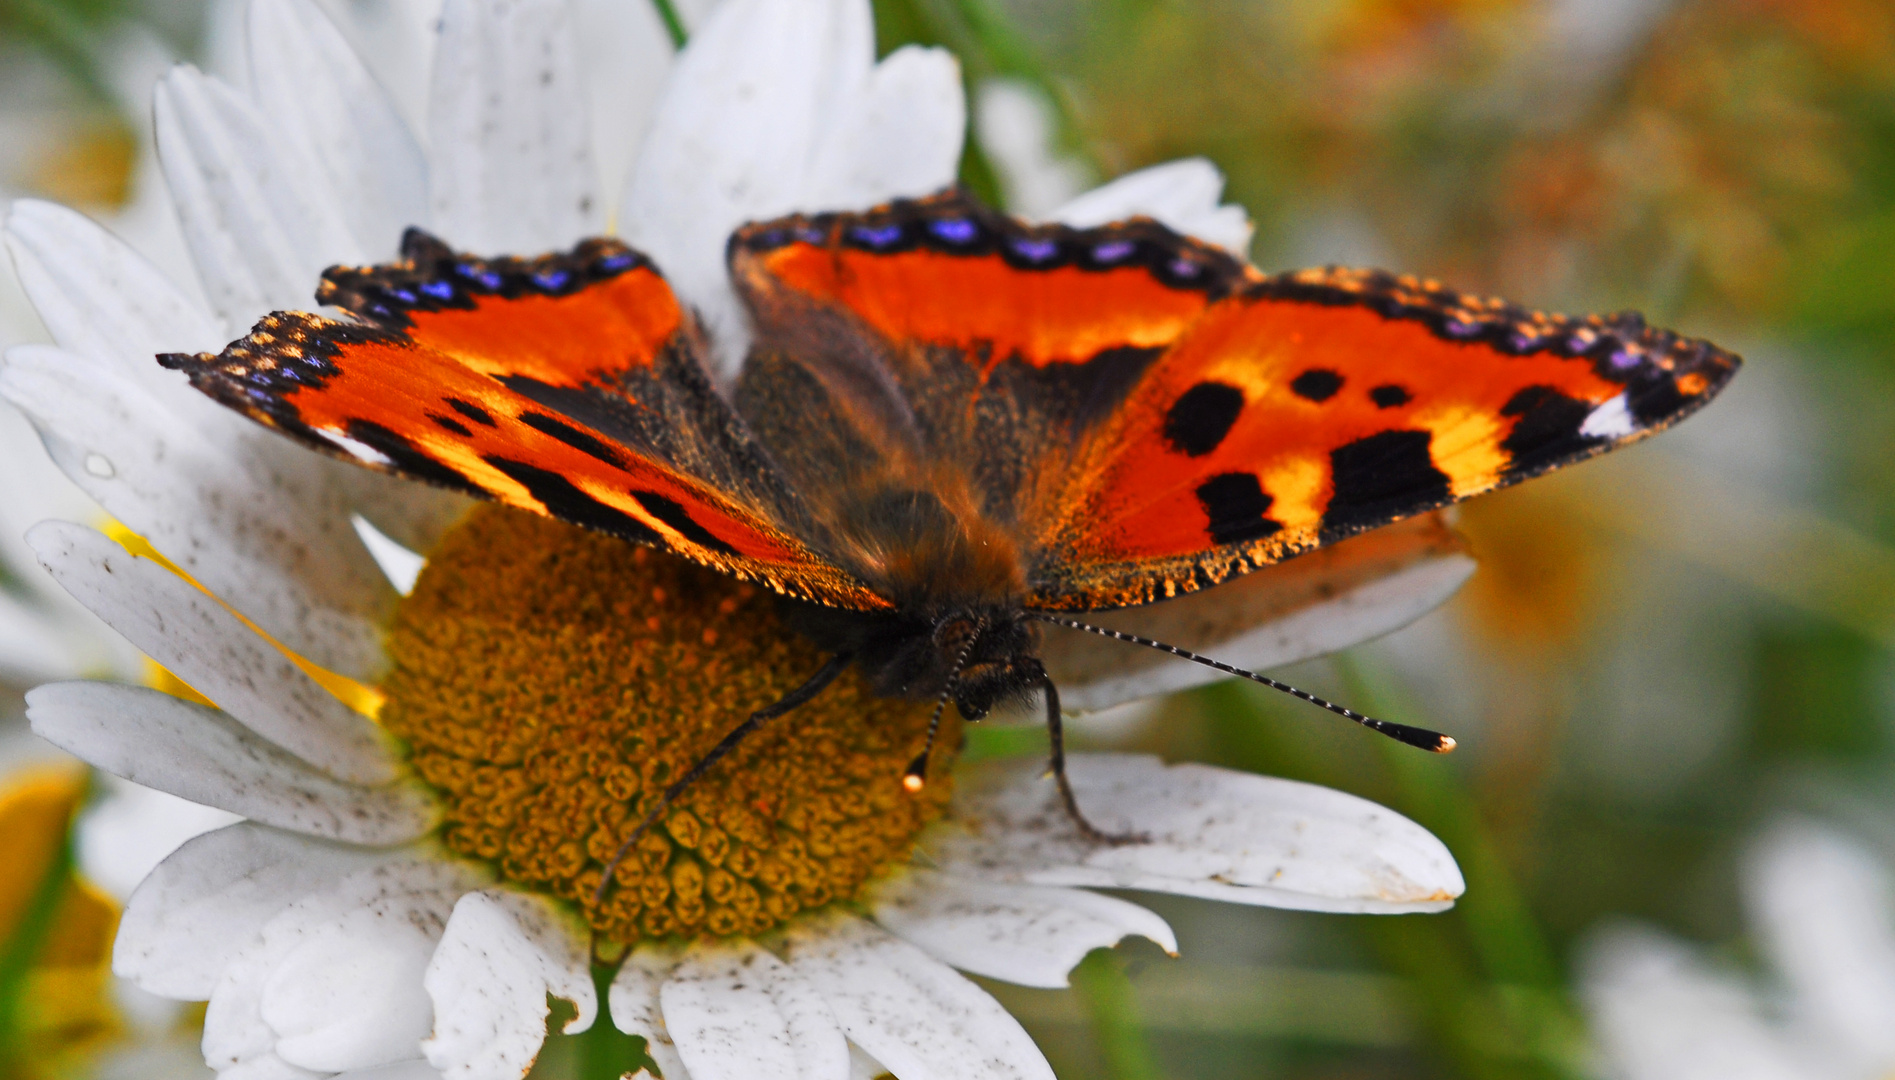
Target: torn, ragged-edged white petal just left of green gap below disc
490,979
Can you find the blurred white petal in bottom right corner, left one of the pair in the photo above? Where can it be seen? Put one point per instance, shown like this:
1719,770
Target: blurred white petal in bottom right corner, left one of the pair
1663,1015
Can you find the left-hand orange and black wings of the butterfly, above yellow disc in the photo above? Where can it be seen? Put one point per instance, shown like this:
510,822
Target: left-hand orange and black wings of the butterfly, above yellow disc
568,386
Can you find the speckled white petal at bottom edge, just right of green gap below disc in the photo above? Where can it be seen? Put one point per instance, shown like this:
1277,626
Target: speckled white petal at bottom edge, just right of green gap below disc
742,1015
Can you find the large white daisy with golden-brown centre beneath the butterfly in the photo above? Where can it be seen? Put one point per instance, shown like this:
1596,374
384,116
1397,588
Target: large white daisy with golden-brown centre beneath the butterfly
433,785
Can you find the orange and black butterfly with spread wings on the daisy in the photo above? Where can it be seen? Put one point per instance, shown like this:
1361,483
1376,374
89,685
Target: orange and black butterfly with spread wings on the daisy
956,427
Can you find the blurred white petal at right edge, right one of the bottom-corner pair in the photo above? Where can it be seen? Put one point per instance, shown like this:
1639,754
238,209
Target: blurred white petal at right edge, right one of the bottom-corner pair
1824,910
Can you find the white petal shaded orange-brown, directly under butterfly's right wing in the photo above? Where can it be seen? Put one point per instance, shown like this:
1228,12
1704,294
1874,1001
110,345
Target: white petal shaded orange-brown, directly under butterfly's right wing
1308,607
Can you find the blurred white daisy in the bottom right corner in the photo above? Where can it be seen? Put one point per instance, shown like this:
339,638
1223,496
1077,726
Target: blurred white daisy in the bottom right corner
1822,912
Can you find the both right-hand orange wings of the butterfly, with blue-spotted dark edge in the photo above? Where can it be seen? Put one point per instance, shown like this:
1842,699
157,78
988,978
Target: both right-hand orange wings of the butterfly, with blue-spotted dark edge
1149,418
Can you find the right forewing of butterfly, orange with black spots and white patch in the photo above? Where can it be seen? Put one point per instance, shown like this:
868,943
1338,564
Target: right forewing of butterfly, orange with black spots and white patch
1318,405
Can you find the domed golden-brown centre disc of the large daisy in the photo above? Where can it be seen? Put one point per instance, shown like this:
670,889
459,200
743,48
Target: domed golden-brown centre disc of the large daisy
550,683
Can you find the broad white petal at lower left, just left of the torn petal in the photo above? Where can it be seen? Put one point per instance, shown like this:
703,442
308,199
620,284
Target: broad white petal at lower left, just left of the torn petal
334,981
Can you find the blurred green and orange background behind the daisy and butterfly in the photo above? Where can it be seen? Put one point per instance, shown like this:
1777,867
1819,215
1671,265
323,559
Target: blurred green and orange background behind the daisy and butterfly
1661,651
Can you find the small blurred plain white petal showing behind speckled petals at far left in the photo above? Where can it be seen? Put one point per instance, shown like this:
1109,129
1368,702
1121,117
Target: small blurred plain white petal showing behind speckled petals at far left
130,829
